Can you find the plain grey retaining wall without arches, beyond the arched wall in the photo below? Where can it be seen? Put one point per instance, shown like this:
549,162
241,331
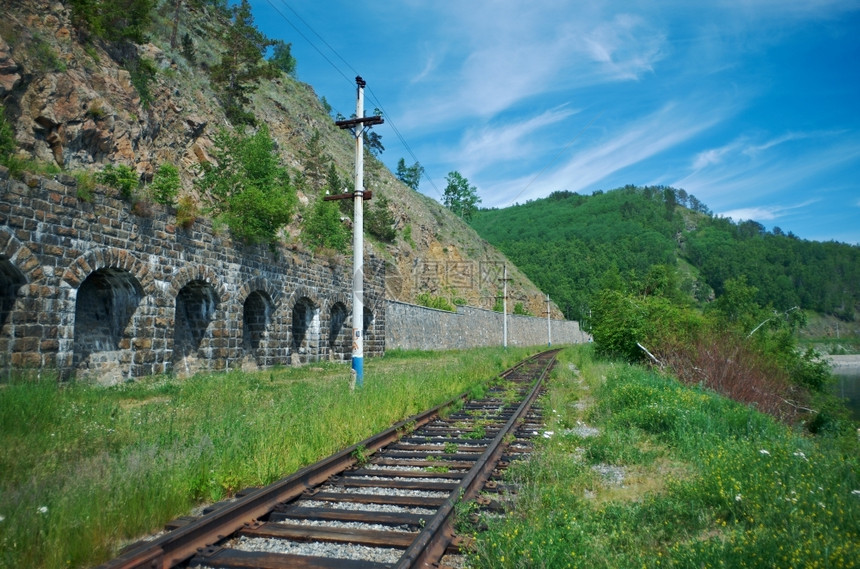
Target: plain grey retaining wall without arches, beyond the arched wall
412,327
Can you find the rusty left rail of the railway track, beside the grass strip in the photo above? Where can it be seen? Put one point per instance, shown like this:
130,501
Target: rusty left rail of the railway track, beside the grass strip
182,543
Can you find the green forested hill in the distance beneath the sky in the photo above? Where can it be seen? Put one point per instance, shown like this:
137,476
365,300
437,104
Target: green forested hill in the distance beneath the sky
572,245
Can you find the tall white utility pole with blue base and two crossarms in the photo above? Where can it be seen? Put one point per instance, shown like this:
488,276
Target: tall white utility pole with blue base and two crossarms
357,126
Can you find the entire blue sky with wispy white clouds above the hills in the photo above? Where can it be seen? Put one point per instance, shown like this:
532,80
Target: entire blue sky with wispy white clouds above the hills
751,106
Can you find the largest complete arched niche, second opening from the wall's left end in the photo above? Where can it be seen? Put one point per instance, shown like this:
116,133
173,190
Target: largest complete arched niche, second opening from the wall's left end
104,305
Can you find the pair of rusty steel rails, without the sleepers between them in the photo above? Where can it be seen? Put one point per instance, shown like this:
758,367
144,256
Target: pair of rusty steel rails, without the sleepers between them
200,536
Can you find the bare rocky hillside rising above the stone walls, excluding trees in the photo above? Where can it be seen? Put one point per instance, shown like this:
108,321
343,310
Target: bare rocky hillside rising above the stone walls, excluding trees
77,102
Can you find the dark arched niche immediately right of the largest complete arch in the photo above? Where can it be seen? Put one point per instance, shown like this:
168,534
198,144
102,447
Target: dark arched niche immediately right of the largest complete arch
196,303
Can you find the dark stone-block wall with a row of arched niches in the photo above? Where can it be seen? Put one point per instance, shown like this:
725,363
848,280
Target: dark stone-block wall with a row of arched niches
94,290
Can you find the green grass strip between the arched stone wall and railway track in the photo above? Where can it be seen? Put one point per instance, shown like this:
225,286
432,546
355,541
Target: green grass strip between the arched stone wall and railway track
86,469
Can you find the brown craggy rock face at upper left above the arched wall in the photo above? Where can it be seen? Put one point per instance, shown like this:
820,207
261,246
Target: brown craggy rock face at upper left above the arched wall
76,104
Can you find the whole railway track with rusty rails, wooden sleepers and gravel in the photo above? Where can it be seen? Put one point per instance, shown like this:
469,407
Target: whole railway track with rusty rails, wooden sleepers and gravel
387,502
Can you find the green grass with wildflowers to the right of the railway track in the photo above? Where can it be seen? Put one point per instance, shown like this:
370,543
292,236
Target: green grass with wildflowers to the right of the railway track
707,482
